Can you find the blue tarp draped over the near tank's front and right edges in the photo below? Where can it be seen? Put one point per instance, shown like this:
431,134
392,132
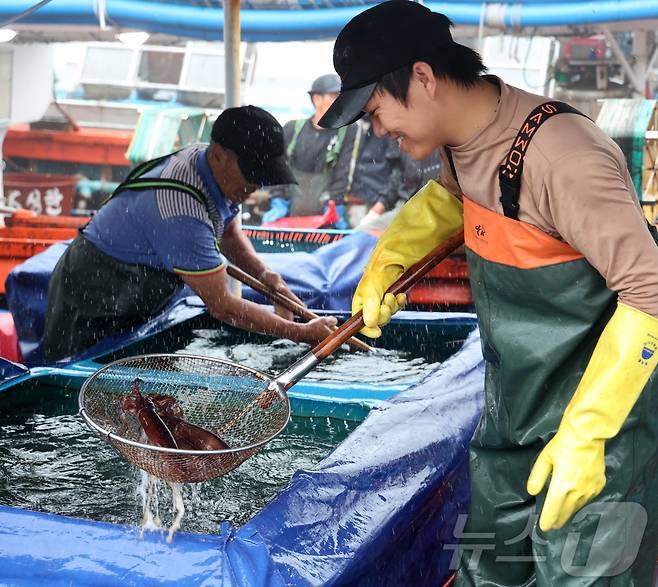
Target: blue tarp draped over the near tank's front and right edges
379,510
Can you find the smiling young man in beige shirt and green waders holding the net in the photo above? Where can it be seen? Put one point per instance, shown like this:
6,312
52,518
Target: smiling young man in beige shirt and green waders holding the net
563,271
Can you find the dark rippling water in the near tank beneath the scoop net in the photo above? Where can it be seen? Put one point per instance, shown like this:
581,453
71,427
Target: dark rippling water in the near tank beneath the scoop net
51,462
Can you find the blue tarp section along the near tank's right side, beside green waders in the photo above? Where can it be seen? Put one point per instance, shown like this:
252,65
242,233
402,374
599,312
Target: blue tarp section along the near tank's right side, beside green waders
381,509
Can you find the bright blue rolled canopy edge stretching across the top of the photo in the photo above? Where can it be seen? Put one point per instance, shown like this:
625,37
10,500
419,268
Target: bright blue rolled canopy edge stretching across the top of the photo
307,19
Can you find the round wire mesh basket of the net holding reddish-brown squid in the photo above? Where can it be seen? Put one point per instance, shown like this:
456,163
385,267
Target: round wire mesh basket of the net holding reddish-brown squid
233,402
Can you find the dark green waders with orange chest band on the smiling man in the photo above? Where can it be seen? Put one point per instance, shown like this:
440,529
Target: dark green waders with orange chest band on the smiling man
541,307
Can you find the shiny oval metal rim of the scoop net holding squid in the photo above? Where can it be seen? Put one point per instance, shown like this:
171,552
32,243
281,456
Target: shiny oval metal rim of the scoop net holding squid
103,433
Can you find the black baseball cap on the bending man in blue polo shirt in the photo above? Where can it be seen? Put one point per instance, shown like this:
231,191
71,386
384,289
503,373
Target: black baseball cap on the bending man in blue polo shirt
256,137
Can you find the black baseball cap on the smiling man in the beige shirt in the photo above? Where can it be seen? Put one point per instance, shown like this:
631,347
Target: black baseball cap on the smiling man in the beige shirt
378,41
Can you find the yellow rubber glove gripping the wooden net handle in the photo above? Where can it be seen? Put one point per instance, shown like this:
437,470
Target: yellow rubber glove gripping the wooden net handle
429,217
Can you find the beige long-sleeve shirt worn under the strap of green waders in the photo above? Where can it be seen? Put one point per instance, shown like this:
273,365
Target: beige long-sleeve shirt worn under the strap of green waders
575,187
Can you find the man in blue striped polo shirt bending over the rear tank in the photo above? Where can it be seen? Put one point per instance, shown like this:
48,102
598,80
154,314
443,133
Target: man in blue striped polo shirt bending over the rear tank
164,227
